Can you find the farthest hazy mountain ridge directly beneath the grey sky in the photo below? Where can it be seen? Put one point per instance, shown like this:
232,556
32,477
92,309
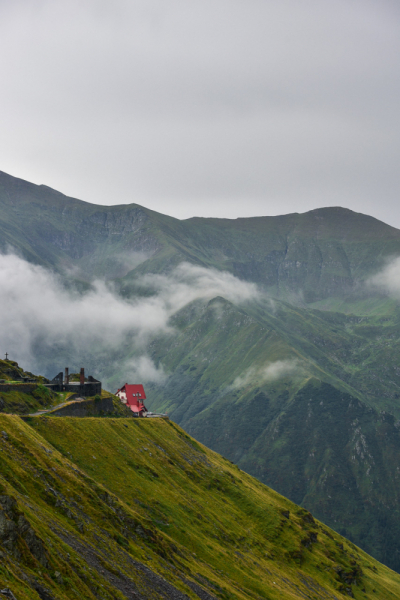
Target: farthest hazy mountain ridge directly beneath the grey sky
321,253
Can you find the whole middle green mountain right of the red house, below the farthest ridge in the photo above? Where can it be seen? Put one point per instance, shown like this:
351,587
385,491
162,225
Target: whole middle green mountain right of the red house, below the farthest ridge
323,433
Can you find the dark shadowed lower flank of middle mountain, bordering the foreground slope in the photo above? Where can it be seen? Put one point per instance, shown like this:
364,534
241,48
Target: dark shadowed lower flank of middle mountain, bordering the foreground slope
323,449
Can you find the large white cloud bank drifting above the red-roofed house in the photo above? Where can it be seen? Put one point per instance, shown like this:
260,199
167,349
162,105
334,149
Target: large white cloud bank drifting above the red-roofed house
39,312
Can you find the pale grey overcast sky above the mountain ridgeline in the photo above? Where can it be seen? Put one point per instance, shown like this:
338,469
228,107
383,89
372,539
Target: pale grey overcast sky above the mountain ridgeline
220,108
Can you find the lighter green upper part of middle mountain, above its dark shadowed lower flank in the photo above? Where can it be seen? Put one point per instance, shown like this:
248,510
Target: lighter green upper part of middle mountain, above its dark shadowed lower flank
216,342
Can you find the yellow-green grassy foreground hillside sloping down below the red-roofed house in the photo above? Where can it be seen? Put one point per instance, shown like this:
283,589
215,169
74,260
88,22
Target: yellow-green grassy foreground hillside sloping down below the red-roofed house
95,508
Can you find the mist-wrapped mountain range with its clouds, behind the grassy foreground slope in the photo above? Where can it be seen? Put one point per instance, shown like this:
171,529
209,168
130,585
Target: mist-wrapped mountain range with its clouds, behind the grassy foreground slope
274,340
